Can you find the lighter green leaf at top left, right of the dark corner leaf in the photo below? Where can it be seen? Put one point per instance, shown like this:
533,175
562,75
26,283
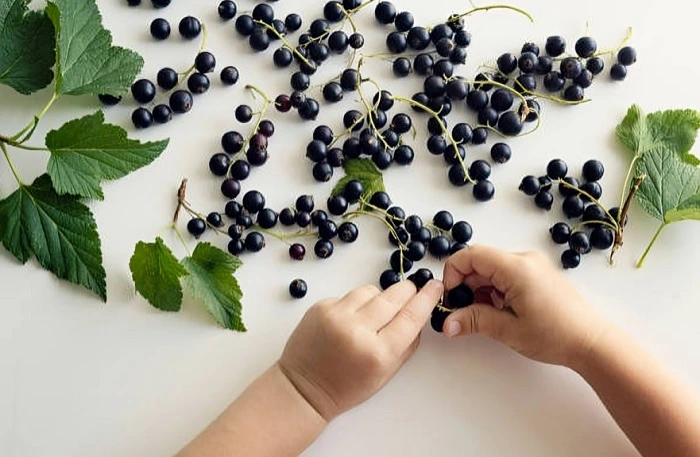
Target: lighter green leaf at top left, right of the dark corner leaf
87,63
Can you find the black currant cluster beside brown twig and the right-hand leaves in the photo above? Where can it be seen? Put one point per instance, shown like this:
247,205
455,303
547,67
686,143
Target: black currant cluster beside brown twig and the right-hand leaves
595,227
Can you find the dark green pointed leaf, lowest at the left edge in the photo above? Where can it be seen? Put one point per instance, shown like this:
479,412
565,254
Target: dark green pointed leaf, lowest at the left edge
59,230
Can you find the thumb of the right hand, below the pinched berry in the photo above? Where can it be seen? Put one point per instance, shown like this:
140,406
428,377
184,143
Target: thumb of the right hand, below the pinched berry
484,319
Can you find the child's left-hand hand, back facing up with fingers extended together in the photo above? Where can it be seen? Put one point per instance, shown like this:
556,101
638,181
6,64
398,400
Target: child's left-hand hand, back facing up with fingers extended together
344,351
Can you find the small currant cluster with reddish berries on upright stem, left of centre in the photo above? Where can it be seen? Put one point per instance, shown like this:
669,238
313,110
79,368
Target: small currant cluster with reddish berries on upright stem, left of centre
241,154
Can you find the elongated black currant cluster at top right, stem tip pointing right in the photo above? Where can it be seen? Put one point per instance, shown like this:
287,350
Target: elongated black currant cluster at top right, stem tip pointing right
560,72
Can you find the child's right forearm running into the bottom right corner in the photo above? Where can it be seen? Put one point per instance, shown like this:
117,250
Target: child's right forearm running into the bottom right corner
657,414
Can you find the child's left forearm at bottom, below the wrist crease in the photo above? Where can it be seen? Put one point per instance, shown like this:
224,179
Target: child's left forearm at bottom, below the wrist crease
270,419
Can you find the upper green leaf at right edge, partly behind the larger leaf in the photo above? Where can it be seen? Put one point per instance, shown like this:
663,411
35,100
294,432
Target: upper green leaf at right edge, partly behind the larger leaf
674,130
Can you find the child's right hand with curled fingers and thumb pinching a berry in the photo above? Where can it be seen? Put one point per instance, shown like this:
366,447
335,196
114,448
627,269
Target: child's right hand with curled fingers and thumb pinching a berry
523,301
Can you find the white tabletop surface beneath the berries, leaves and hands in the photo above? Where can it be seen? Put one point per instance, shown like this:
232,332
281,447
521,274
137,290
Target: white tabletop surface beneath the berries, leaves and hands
82,378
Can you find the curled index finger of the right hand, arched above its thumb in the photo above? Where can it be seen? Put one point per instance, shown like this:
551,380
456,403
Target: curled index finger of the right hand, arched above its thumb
497,267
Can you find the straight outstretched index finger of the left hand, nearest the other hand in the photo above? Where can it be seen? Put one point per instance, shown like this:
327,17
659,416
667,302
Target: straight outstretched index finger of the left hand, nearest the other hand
406,325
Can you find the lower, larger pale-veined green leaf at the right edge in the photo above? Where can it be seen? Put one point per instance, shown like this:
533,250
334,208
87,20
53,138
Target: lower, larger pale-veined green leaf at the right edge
669,182
